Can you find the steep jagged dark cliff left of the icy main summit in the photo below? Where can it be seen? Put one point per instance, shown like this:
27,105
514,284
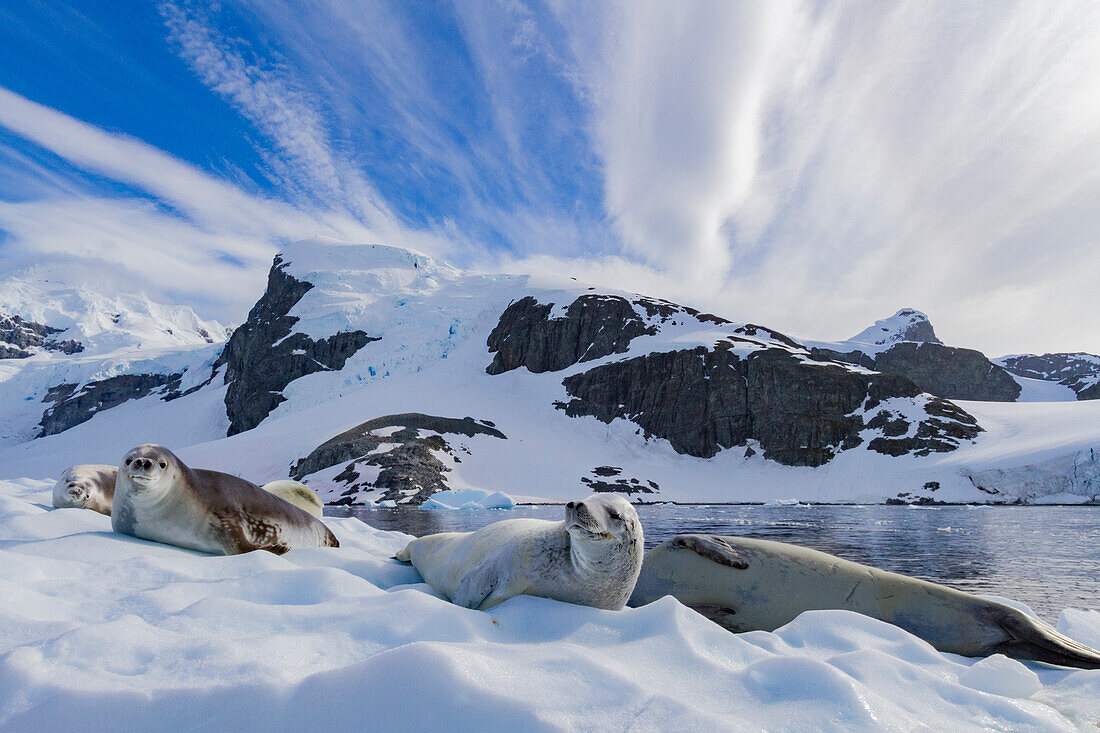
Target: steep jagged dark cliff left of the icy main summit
261,358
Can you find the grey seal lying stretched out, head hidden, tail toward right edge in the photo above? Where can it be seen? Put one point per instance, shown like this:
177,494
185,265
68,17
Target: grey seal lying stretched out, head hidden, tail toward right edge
749,585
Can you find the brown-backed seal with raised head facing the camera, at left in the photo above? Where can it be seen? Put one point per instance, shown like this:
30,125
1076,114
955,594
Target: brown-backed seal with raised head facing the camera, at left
159,498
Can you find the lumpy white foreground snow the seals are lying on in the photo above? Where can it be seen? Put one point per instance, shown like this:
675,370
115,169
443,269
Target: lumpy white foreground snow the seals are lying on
105,632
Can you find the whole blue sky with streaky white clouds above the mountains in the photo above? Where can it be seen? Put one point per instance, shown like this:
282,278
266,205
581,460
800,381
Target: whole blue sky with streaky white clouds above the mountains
810,167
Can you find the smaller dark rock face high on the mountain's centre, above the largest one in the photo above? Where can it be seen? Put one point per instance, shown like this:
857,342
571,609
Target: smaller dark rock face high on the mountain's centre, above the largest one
595,326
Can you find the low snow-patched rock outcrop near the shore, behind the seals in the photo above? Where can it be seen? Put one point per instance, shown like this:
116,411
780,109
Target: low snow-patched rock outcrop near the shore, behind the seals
408,471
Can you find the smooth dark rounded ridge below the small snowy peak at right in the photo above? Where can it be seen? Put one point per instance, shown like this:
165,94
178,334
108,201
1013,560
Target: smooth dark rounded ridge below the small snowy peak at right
948,373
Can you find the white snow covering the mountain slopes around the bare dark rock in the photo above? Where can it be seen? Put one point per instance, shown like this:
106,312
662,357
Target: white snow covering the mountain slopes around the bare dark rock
434,322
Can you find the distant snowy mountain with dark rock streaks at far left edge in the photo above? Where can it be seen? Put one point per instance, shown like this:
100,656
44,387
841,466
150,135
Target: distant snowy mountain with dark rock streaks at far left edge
69,352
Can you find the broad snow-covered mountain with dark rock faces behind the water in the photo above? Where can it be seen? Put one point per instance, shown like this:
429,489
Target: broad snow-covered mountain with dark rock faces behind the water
378,374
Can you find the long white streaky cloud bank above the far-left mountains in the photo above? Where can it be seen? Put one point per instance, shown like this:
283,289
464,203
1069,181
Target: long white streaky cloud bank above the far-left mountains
211,247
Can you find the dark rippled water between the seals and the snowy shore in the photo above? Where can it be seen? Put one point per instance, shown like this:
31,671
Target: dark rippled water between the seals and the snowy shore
1049,557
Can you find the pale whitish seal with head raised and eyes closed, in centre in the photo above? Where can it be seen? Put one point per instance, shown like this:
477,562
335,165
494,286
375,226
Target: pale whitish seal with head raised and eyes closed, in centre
592,559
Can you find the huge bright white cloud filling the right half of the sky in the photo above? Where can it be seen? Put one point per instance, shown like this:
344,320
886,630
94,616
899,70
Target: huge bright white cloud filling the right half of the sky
818,167
